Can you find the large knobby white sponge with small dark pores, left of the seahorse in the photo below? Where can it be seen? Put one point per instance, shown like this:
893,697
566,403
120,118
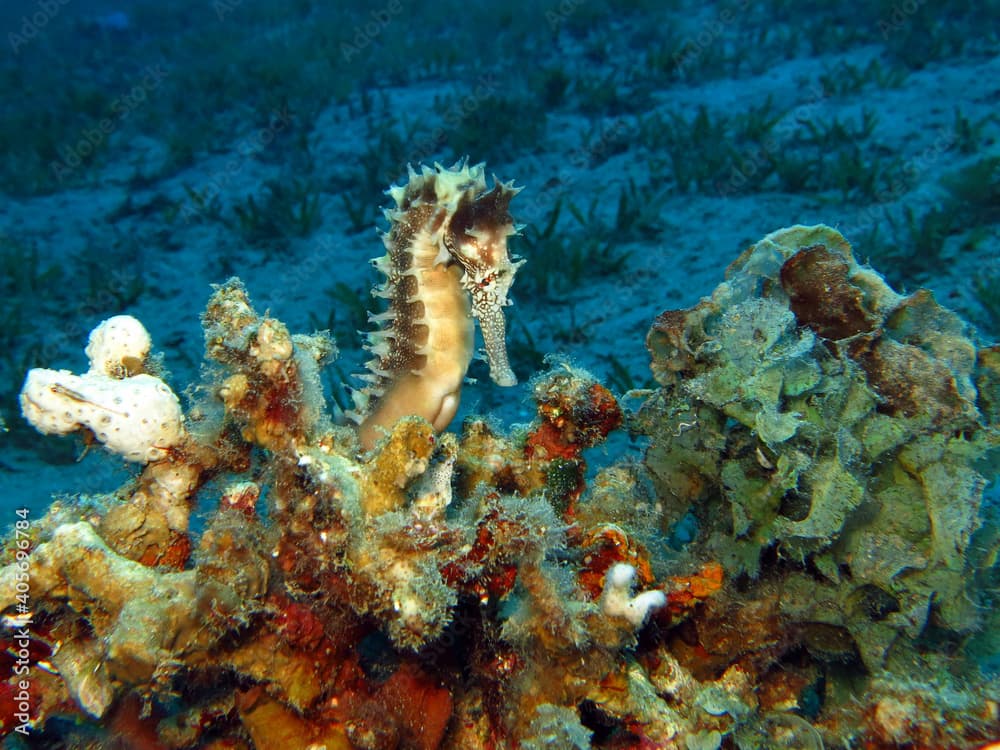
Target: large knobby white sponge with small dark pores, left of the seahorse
135,416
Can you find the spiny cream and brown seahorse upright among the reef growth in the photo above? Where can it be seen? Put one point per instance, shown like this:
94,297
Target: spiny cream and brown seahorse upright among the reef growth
446,265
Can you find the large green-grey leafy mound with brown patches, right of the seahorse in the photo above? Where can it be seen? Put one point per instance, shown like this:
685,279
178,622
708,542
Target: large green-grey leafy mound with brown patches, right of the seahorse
809,411
